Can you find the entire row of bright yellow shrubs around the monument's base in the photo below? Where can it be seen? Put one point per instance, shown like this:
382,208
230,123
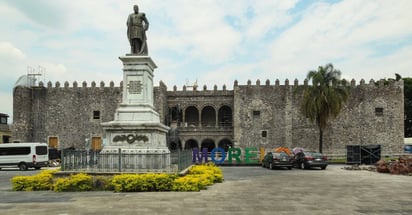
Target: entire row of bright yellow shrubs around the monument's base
198,178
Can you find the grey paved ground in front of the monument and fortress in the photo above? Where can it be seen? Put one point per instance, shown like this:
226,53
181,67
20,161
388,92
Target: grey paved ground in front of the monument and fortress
246,190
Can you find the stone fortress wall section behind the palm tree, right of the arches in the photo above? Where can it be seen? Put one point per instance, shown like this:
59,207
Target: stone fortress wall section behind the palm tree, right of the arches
373,115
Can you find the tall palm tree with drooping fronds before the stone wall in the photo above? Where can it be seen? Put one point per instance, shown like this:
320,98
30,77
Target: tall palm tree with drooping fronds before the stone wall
324,99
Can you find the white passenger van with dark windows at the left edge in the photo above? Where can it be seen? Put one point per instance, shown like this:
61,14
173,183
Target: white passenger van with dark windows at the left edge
24,155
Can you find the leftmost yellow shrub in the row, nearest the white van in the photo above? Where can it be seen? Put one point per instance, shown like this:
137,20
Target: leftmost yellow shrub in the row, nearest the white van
40,181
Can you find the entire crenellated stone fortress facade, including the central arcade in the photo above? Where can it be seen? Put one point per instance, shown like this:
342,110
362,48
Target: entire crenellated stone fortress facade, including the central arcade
263,115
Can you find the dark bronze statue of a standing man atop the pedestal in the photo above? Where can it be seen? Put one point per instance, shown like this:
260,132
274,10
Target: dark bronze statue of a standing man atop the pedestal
137,26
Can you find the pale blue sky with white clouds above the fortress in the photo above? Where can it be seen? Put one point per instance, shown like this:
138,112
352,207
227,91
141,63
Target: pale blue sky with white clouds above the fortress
212,41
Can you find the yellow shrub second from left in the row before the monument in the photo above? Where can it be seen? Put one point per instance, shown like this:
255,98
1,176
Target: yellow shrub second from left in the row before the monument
77,182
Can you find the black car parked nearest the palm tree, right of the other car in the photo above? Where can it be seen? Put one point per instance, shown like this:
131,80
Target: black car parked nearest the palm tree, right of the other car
308,159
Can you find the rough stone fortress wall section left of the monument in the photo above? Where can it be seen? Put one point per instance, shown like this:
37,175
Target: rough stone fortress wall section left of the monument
68,113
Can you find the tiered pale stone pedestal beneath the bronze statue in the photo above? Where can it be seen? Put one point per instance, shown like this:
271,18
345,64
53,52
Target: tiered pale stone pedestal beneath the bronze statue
136,140
